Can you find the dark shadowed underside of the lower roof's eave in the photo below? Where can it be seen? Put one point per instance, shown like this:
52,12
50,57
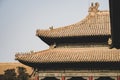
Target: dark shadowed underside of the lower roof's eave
75,65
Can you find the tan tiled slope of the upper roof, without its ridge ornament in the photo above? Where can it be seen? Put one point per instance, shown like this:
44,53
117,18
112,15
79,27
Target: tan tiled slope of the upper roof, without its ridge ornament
94,24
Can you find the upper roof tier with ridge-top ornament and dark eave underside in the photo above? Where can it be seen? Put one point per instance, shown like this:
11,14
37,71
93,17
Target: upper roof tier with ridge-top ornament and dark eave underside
95,24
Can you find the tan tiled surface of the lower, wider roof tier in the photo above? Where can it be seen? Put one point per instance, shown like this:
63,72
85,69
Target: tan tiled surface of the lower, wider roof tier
100,54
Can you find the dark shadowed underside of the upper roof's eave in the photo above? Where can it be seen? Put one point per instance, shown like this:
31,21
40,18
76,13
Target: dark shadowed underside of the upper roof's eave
76,39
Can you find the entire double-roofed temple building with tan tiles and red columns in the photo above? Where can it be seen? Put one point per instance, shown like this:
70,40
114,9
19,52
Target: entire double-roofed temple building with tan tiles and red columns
79,51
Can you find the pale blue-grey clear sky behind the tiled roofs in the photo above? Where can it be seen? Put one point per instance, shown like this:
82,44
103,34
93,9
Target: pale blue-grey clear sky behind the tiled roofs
19,20
